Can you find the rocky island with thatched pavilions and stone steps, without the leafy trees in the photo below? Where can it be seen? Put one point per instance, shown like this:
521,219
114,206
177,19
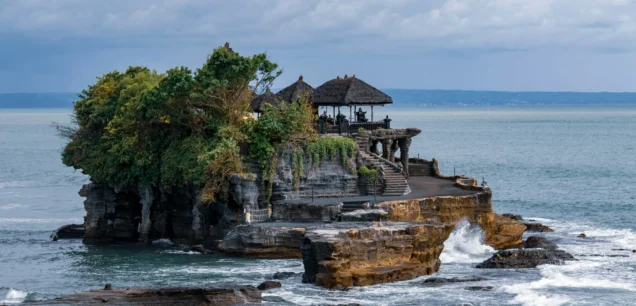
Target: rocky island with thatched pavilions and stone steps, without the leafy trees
355,212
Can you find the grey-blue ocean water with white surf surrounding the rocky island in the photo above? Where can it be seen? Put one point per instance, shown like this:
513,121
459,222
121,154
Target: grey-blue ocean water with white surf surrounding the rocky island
570,168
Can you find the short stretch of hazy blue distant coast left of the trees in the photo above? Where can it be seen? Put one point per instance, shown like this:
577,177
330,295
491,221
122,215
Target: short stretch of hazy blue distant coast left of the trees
37,100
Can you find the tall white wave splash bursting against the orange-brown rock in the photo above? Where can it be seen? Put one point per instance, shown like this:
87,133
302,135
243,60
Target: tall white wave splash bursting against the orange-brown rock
465,244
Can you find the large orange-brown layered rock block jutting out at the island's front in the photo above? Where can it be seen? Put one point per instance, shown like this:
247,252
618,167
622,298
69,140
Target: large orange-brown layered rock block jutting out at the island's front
342,255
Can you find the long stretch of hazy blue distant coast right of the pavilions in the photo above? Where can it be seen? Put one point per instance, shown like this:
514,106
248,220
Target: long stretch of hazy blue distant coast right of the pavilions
453,98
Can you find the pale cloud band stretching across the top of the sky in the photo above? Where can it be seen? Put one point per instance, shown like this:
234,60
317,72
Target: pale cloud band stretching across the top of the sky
379,24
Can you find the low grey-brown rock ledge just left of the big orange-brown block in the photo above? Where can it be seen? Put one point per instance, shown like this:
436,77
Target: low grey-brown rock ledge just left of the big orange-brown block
265,240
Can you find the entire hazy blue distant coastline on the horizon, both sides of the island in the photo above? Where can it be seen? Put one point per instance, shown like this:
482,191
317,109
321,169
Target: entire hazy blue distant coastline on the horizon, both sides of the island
401,98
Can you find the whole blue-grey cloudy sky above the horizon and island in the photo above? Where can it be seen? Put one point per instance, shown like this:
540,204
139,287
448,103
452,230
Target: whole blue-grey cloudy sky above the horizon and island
511,45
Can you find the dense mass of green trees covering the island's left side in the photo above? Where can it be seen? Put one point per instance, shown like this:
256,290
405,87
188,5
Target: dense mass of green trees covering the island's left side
143,128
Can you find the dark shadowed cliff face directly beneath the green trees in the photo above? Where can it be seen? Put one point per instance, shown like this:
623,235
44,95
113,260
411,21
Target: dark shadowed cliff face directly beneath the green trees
176,214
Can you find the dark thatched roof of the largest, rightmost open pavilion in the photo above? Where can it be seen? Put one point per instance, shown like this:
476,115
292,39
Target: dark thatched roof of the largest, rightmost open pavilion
349,91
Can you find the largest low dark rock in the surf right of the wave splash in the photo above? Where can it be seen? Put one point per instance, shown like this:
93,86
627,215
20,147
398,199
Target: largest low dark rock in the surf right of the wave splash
524,258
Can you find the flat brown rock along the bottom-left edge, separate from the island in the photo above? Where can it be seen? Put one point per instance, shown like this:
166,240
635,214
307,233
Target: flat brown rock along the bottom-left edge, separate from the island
163,296
